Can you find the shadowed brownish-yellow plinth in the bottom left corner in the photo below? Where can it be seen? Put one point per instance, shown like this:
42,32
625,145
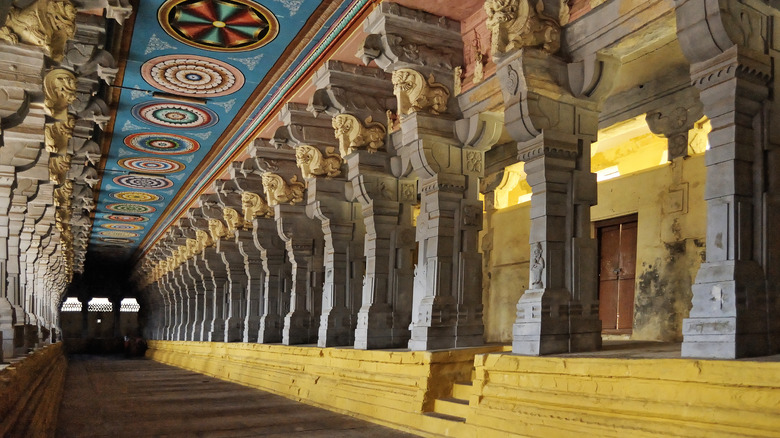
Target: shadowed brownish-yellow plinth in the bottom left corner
30,393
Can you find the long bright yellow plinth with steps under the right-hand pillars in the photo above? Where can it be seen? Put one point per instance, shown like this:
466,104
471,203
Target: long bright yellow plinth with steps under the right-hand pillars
511,395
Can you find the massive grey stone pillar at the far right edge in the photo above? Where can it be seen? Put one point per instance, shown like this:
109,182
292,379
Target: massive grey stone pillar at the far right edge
734,66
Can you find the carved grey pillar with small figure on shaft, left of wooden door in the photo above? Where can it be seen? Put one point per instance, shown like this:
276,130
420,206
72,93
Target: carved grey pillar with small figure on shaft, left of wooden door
552,112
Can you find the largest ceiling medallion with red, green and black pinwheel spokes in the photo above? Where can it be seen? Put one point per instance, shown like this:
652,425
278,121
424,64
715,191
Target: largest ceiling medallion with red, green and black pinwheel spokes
221,25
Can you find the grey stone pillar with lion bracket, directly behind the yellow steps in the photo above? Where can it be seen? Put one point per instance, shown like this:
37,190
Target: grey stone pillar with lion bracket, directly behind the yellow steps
447,308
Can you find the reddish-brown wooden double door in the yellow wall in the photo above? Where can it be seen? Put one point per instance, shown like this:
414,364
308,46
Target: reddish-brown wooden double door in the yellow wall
617,272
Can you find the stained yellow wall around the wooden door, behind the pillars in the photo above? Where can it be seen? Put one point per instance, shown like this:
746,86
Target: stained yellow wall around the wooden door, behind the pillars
669,201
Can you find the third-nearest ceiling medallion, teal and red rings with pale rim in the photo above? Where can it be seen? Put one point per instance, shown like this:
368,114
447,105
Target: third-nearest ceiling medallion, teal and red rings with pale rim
175,115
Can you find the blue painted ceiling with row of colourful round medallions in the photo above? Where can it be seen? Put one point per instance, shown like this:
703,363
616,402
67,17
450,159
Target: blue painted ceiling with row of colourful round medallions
191,67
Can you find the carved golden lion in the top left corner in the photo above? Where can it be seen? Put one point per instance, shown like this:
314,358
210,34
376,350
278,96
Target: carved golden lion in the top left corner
46,23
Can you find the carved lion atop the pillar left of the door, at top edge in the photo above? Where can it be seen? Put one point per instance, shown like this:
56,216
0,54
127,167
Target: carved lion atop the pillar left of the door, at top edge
516,24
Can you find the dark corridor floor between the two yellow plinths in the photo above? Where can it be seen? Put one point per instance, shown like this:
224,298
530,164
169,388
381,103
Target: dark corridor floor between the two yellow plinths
114,397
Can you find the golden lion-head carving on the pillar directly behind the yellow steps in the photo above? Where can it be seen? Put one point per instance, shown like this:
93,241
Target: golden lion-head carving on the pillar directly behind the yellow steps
414,93
